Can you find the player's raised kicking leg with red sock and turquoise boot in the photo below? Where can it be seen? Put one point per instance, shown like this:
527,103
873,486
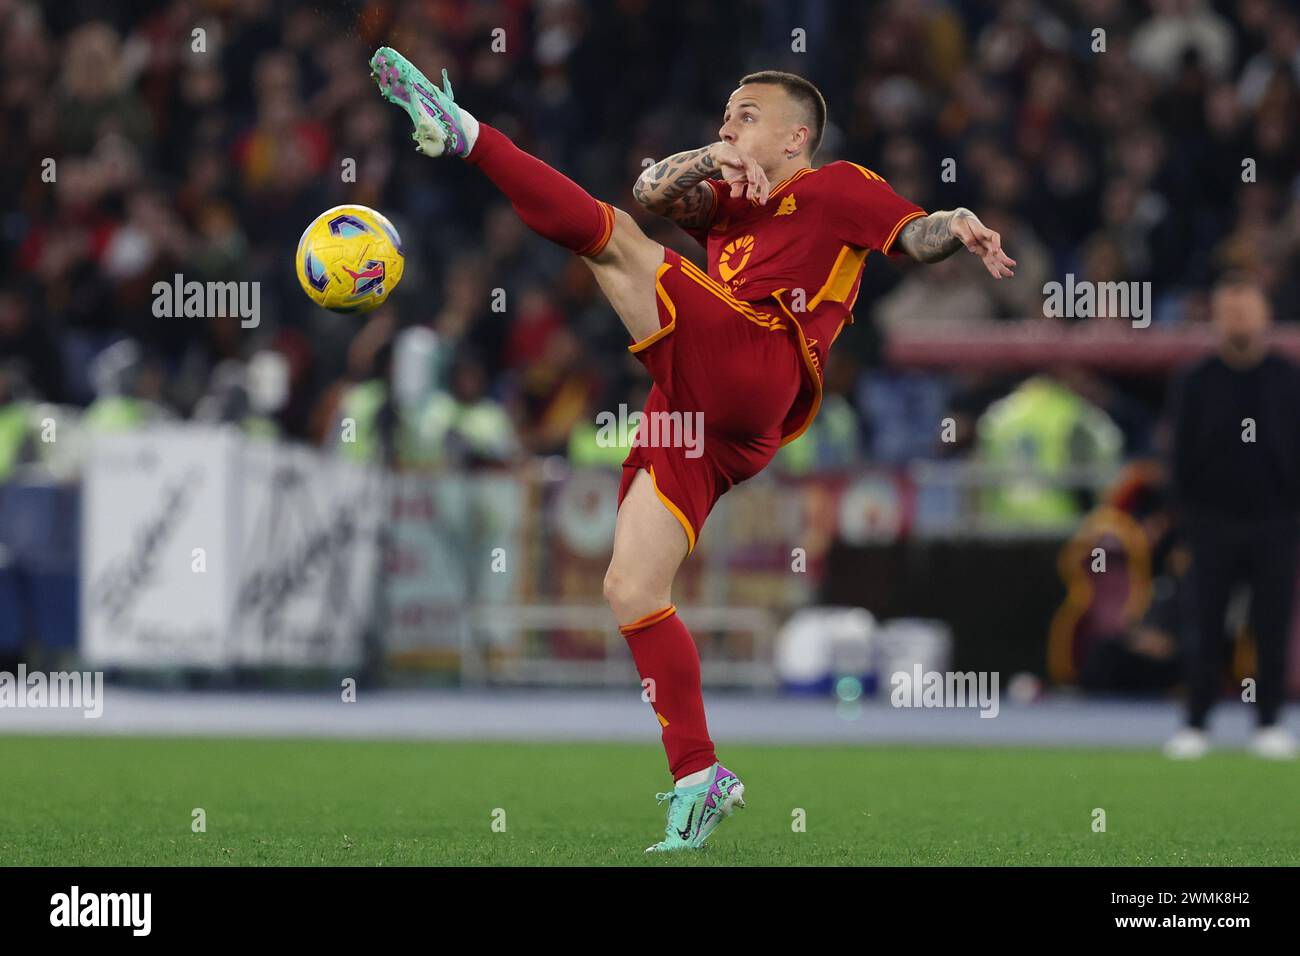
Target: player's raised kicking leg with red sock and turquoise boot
553,206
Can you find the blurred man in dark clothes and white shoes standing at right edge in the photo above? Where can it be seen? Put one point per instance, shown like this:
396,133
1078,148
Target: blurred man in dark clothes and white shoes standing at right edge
1237,481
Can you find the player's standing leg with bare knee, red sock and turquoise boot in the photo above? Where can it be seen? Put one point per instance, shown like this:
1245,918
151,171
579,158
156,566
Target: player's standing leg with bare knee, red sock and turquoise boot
649,547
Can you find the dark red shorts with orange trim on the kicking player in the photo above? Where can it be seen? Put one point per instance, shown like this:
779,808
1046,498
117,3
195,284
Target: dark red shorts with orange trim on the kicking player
726,374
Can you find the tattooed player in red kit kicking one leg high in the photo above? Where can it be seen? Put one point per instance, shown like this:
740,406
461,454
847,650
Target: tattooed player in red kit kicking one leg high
743,345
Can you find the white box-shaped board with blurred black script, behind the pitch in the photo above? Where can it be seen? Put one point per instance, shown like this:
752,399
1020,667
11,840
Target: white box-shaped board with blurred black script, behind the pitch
205,550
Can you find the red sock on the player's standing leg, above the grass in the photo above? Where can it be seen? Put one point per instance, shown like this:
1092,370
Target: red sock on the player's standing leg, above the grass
665,652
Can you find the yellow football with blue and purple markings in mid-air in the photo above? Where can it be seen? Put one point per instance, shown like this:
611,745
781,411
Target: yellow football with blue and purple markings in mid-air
350,259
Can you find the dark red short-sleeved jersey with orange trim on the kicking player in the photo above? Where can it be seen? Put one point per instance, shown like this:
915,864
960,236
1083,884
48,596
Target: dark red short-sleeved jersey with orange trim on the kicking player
805,249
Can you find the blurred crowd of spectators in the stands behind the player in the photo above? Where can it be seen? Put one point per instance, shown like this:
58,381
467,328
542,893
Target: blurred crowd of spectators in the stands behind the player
1117,166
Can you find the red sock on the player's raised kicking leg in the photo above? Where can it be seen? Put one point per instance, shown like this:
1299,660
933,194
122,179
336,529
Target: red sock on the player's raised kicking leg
551,204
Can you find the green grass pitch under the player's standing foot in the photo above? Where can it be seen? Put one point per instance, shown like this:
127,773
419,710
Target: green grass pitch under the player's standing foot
129,802
